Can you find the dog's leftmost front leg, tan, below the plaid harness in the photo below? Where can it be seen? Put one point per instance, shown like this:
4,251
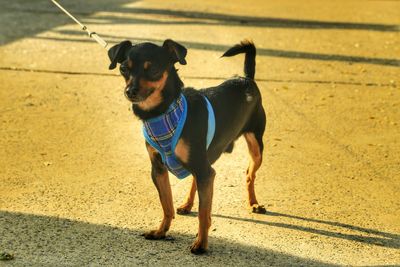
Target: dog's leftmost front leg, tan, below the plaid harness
159,174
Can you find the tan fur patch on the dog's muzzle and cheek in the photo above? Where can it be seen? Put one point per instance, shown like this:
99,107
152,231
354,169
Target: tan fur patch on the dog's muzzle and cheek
155,98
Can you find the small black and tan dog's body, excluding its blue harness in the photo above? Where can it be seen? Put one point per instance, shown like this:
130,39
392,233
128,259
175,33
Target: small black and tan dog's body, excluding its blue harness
152,85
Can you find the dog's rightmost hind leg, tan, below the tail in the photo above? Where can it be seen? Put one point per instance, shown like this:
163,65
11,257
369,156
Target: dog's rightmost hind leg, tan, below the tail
255,145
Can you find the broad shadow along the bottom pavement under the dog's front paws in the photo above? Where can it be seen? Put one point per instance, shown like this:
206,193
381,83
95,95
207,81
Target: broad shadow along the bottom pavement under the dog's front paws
53,241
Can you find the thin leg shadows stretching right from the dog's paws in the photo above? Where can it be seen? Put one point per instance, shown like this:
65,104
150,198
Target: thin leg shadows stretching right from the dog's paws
359,234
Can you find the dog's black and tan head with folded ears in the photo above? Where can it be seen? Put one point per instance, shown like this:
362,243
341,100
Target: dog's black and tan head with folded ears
146,68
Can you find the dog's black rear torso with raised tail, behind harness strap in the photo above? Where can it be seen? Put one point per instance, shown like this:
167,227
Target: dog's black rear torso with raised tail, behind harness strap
237,105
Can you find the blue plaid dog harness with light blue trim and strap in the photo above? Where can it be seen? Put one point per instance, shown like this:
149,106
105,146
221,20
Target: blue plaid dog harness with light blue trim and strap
163,133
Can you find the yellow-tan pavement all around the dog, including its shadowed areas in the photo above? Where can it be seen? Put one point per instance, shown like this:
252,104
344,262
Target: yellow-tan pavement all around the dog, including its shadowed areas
75,186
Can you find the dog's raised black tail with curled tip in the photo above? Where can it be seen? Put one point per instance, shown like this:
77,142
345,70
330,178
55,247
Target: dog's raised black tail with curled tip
249,49
